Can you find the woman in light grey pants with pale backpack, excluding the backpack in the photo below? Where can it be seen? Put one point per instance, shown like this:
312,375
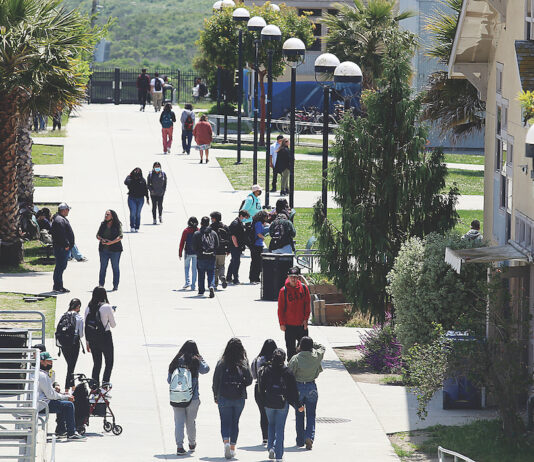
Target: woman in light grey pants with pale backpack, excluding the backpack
188,357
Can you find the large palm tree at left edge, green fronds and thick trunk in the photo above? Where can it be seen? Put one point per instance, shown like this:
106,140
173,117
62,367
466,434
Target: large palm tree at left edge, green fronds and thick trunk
42,46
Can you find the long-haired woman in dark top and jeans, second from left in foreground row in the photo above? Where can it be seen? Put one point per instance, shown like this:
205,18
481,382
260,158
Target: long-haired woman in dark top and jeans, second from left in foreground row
231,378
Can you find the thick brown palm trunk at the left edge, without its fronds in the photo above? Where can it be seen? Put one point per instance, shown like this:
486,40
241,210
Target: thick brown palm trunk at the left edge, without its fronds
11,247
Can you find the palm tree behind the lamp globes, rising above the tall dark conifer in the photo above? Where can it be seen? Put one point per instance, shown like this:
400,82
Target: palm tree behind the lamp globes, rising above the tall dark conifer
358,33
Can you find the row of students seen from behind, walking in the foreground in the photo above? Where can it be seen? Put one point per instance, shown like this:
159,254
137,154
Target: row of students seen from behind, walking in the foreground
277,386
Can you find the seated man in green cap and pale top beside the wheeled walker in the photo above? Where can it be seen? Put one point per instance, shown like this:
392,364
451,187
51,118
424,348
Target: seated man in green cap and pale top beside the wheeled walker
57,403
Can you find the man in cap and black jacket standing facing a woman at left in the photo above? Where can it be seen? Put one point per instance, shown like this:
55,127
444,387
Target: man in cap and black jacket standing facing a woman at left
62,241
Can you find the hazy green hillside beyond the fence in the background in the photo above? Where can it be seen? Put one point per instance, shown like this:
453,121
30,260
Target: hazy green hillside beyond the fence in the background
151,32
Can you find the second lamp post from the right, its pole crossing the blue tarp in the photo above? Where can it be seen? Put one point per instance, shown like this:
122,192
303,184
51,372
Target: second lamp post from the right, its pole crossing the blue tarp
325,65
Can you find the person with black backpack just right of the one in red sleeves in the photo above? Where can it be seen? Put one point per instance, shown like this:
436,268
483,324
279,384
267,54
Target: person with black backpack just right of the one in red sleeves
205,243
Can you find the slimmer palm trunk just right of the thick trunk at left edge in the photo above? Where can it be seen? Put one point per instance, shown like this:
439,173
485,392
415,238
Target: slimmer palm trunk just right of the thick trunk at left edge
24,163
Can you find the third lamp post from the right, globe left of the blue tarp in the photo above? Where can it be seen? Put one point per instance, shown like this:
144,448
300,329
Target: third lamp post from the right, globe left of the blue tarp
293,50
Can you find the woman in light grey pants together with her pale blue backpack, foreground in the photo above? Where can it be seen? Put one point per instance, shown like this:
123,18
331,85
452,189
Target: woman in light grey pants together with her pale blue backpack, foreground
184,395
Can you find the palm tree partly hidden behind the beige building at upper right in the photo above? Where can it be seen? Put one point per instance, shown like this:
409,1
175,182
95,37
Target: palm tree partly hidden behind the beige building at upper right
452,104
